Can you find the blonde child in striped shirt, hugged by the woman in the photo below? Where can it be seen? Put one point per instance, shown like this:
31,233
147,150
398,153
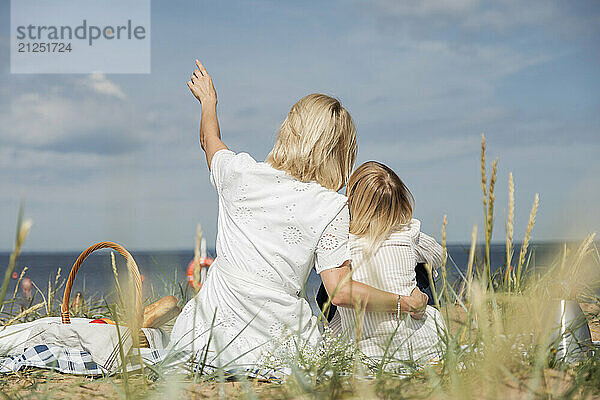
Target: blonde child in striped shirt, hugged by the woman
385,245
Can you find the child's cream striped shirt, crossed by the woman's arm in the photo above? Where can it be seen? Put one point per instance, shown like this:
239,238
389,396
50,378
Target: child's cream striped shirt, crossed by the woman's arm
392,269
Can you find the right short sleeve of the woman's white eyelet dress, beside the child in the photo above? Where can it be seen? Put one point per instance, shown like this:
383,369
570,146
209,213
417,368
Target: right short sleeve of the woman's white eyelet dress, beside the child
332,249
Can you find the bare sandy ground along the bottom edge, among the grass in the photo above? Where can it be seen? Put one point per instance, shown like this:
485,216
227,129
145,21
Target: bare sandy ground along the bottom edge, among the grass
36,383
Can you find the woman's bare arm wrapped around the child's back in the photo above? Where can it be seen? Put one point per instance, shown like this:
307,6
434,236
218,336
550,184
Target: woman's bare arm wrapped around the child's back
345,292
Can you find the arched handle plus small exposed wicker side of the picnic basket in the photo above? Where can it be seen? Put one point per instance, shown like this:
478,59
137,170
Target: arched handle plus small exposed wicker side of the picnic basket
134,274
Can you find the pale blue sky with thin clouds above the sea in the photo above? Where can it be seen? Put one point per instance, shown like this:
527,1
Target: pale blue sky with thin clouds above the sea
115,157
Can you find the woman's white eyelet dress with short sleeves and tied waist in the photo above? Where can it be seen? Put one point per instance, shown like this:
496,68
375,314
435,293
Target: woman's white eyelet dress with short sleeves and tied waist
272,229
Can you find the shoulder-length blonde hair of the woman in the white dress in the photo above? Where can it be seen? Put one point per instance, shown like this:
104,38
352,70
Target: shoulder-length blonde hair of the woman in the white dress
316,142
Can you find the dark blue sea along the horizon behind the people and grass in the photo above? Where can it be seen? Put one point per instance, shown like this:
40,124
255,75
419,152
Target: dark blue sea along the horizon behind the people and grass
164,270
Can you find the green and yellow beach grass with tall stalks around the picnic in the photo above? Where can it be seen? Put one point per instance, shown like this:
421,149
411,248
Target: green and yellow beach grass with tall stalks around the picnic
501,340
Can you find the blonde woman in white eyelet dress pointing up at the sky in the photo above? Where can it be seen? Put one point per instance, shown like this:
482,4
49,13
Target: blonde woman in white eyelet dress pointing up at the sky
277,220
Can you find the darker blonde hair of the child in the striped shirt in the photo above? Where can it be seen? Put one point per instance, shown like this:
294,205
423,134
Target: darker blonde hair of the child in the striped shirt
379,203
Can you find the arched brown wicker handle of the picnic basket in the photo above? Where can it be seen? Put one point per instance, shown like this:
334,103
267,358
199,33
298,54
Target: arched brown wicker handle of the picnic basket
133,271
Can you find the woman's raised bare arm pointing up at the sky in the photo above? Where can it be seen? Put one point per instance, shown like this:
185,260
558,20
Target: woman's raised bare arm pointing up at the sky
202,87
